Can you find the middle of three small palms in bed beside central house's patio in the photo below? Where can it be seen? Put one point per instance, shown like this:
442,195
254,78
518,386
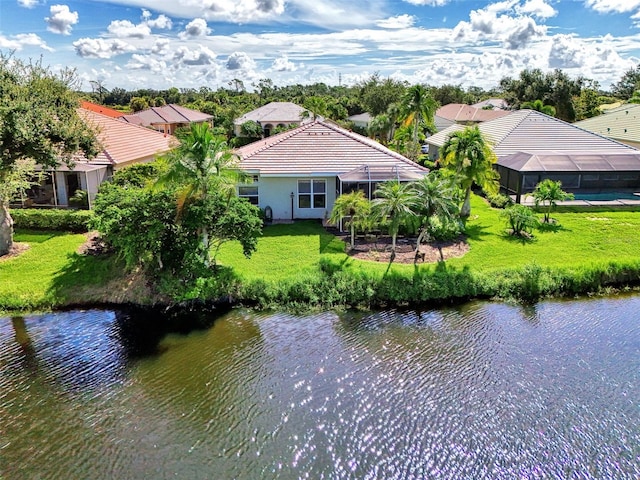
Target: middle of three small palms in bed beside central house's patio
394,202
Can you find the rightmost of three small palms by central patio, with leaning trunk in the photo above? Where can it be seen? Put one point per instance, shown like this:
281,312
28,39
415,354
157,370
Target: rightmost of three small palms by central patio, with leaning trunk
438,198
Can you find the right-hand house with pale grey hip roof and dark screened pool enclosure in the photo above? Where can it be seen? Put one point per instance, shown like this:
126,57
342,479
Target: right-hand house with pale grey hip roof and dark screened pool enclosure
532,146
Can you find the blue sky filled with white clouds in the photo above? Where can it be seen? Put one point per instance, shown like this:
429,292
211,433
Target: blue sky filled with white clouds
159,44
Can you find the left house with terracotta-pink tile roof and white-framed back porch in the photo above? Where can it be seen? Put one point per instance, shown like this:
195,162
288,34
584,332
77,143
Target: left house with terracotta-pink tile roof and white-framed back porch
123,144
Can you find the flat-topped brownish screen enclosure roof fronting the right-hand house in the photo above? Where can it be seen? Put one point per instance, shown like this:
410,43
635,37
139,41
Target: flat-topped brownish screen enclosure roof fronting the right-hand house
572,162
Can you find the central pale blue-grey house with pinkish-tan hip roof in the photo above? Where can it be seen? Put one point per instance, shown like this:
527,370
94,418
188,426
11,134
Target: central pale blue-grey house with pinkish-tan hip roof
299,173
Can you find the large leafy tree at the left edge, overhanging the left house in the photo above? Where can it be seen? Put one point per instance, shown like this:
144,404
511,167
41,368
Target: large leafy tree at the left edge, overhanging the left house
39,121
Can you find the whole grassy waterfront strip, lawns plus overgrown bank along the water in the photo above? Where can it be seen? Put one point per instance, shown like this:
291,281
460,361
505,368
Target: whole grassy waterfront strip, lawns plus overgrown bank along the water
303,266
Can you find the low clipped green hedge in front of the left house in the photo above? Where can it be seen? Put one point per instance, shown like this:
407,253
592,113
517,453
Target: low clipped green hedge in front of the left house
52,219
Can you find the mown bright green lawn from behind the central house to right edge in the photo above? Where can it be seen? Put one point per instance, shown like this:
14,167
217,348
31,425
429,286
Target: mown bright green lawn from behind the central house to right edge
577,239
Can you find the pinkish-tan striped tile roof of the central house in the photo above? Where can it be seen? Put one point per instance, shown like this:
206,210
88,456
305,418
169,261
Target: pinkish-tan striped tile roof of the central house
320,148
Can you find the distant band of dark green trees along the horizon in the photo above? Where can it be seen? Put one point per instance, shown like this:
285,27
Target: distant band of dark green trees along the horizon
571,98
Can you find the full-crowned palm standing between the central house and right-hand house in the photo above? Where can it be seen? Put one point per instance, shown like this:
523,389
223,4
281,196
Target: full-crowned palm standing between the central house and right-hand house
469,156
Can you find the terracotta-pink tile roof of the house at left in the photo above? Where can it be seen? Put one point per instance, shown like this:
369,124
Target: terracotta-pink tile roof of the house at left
124,143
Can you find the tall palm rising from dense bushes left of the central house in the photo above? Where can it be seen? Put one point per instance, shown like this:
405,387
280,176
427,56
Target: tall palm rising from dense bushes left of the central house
201,165
